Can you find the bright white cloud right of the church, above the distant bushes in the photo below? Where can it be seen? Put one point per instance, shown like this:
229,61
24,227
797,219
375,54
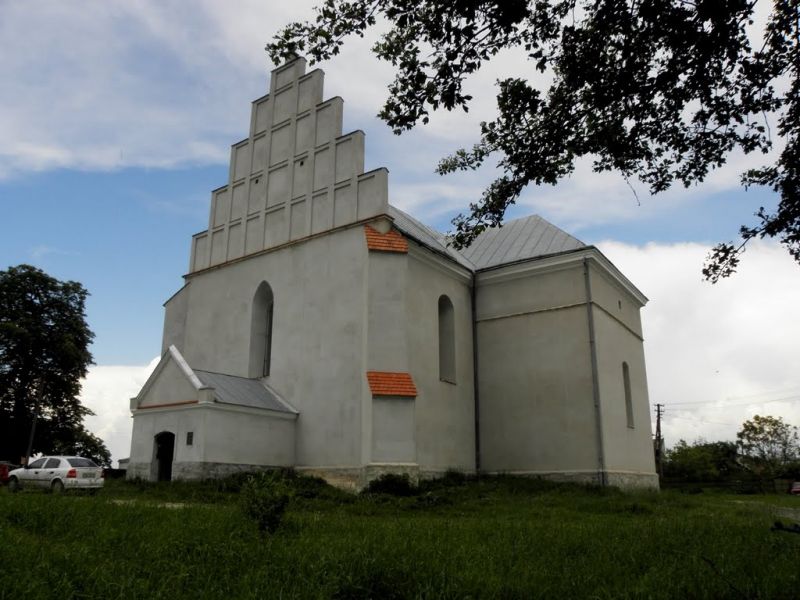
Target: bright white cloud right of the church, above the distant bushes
731,346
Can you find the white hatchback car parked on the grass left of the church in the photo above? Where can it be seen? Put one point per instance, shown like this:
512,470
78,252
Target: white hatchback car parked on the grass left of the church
57,473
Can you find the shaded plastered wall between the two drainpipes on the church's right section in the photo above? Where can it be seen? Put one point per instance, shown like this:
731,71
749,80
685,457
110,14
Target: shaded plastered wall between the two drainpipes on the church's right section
536,404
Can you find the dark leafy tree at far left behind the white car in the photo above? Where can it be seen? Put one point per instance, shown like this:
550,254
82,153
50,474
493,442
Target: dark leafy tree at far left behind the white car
44,353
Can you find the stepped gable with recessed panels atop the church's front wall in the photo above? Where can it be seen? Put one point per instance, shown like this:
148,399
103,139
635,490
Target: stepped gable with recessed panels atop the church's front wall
295,175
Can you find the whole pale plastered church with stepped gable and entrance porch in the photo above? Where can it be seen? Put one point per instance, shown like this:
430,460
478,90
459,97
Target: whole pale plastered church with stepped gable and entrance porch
323,329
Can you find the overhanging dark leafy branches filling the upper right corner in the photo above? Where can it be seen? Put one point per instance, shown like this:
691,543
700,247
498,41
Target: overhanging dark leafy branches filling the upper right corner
658,90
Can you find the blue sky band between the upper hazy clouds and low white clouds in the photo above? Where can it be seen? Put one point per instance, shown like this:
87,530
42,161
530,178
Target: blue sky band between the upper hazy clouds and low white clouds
125,235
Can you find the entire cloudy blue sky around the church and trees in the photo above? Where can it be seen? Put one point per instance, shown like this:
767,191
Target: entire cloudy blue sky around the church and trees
116,120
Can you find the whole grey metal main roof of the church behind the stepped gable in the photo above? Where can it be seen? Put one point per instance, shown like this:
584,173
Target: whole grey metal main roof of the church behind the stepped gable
519,239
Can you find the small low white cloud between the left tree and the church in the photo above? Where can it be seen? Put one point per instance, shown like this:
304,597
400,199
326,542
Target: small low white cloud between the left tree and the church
107,391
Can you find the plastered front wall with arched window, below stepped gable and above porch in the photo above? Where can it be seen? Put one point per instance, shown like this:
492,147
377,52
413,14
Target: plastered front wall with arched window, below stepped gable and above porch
317,335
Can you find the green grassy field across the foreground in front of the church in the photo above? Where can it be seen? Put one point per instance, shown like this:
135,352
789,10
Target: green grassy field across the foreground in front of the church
493,538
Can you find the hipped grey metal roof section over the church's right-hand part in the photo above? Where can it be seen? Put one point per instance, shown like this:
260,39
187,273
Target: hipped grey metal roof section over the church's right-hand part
519,239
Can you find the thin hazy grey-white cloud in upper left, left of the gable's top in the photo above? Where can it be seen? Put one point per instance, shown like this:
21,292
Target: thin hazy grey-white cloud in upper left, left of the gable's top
101,85
